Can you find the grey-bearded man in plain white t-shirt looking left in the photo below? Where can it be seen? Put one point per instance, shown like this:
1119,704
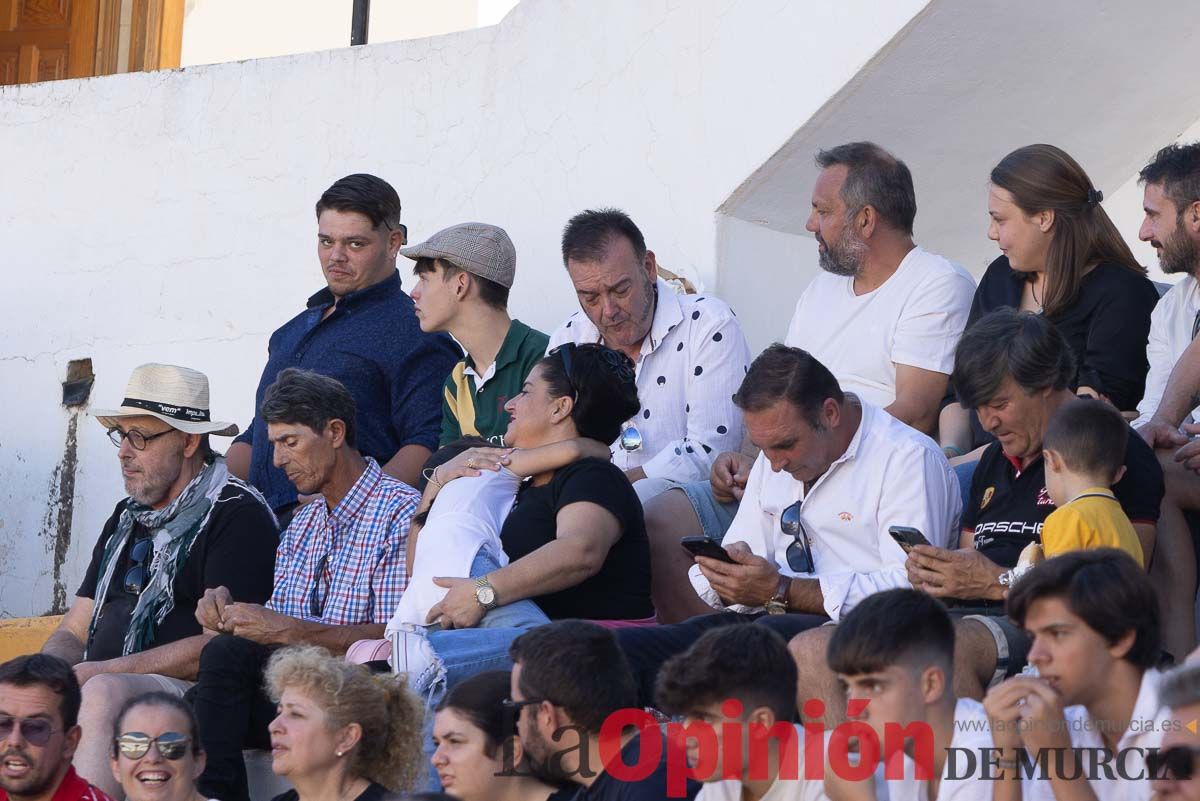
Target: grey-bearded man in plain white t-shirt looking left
884,316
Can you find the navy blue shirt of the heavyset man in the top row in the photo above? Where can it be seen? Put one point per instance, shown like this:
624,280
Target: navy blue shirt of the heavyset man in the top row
374,345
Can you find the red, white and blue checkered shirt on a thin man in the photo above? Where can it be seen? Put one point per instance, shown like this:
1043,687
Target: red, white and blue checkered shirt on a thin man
347,567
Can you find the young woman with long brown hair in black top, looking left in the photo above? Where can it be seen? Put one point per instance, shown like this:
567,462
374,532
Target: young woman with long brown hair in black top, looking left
1063,257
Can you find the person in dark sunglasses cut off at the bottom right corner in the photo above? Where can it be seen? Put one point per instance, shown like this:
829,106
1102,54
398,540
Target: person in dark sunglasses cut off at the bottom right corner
1174,768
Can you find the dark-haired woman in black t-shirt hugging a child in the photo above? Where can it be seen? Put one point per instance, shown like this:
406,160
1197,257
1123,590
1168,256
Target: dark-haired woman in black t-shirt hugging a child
575,539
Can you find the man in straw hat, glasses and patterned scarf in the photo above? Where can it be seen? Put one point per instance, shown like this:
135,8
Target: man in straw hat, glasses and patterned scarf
187,526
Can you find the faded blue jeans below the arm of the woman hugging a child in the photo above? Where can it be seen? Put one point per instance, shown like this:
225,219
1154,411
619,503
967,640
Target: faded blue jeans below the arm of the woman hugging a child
465,653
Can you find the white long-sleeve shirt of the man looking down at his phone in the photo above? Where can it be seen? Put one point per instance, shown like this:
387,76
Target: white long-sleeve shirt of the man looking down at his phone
890,475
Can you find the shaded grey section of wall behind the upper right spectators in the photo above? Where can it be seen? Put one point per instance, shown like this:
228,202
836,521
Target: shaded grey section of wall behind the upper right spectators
951,97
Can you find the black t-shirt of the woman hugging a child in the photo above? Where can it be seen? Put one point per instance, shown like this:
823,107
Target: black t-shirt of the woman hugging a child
621,591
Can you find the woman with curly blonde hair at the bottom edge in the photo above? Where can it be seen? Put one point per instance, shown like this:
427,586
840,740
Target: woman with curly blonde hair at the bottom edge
343,734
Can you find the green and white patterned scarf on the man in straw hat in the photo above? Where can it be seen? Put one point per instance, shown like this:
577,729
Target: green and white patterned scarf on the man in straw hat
175,529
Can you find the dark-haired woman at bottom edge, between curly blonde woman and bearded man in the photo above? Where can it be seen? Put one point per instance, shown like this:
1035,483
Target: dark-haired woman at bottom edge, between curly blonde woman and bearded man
479,755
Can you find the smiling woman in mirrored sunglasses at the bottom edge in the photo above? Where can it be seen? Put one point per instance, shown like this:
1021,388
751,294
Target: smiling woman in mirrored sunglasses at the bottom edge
157,755
